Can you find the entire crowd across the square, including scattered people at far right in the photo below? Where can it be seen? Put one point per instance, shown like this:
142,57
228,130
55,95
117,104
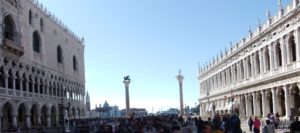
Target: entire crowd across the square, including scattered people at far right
229,123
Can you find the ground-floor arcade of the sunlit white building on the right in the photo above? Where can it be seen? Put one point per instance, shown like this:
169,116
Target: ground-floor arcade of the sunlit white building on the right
283,100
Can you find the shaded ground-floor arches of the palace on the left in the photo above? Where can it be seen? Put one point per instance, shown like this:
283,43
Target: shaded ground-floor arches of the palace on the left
27,115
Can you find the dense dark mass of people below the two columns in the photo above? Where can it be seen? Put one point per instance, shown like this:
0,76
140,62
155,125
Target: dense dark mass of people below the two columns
159,124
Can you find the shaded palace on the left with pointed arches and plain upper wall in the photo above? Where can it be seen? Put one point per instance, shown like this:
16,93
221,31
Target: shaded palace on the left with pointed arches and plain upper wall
41,67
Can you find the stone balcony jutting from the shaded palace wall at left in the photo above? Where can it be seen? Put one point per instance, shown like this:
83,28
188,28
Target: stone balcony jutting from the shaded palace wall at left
12,47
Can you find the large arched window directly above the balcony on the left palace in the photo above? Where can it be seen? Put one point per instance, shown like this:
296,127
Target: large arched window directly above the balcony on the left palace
9,28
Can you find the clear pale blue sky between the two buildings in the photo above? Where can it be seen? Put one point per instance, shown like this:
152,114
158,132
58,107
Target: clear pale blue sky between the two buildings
151,40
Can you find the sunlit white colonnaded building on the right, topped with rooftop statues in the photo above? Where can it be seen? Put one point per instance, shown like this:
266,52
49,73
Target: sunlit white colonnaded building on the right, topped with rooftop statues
260,74
